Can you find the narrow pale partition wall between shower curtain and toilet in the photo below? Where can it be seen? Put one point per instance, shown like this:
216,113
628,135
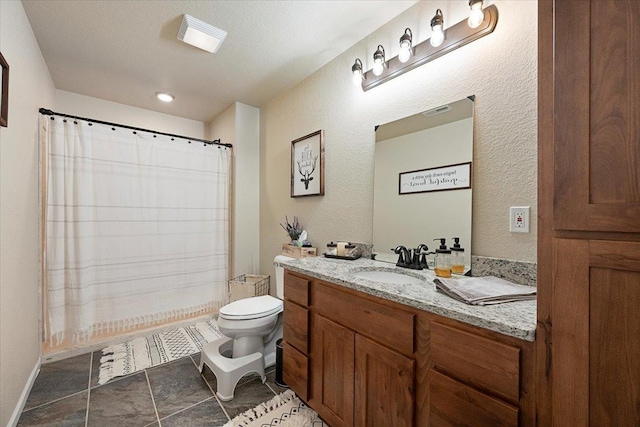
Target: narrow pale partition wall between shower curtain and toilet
240,125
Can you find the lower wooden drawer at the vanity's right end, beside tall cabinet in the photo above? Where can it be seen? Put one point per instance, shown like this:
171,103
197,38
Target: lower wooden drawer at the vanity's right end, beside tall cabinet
453,403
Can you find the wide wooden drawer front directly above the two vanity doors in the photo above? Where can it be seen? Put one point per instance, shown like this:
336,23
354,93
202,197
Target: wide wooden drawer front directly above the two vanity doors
385,324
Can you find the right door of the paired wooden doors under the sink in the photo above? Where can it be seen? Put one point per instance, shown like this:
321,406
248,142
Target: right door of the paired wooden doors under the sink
384,386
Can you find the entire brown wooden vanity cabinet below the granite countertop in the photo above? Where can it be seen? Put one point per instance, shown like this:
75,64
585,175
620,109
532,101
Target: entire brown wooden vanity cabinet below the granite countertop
365,361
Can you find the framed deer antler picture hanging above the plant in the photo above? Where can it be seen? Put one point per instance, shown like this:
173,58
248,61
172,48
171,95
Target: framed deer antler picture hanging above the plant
307,165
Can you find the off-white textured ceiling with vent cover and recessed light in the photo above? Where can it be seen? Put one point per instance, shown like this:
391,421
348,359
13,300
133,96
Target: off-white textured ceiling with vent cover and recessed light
126,51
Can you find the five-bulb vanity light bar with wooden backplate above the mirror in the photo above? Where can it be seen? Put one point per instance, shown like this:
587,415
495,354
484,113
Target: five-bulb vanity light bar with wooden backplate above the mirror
458,35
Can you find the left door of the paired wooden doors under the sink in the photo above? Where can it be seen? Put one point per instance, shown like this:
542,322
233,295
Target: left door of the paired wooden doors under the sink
332,362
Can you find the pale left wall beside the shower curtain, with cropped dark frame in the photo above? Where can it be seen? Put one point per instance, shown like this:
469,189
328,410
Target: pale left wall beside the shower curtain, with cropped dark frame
30,87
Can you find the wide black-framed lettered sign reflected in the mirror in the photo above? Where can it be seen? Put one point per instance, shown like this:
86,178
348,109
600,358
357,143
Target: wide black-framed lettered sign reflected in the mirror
441,178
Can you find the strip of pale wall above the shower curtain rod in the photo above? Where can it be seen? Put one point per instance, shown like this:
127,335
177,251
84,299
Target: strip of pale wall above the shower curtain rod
108,111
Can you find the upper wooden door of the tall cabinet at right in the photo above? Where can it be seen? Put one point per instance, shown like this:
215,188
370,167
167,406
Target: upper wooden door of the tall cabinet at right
596,108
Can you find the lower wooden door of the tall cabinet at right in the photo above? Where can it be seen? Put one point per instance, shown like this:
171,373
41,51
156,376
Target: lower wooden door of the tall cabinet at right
596,330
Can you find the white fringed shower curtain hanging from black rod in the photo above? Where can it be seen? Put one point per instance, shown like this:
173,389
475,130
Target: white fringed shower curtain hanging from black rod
136,229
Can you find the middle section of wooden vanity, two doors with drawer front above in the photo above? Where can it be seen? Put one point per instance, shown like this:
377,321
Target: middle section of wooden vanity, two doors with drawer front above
362,360
